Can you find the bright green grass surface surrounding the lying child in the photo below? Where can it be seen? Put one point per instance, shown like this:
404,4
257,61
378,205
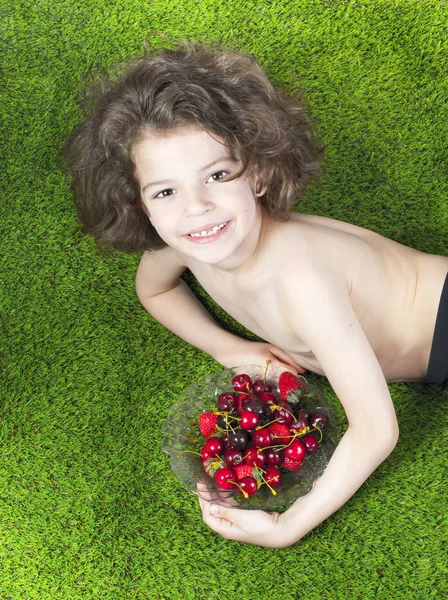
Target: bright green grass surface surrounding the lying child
88,505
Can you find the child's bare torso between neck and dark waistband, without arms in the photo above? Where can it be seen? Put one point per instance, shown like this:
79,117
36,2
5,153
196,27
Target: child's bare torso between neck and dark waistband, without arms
394,290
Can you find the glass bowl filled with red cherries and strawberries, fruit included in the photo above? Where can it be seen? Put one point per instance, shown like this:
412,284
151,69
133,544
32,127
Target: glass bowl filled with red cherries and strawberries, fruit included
251,437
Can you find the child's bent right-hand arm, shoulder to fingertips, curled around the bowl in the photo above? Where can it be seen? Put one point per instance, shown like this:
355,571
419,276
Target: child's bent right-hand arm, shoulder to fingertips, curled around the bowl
320,312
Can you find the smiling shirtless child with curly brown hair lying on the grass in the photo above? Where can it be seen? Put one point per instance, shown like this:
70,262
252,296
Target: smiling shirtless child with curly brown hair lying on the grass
193,157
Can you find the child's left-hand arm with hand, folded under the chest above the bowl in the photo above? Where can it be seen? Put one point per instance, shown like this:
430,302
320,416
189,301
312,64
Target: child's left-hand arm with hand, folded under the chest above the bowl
170,301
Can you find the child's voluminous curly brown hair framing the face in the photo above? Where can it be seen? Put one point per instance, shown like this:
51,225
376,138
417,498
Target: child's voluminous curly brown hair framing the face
223,91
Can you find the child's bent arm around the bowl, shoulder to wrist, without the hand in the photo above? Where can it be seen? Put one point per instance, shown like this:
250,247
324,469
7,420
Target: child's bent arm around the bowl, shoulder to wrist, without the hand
340,345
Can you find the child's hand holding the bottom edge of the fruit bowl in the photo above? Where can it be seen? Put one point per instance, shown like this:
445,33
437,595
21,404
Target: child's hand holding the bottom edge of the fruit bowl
249,526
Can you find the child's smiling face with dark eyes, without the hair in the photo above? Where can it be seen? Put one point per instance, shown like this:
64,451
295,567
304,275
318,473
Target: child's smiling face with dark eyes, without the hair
183,180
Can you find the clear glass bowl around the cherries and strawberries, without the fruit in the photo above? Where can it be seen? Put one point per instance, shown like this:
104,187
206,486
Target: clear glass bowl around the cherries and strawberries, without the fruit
182,437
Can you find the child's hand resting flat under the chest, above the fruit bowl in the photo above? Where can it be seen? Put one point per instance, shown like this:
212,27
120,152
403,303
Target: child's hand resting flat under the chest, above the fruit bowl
246,352
